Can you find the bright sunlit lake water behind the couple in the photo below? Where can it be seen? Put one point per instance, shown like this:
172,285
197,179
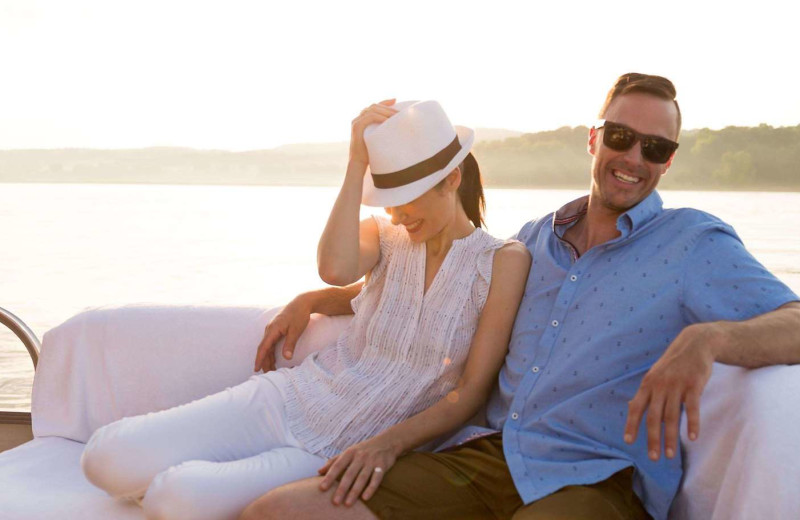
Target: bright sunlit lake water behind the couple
69,247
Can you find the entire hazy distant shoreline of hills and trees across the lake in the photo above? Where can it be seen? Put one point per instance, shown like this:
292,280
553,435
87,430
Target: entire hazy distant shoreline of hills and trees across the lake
734,158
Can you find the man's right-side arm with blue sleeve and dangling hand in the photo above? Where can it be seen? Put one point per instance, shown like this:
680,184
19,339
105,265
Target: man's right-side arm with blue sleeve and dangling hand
725,294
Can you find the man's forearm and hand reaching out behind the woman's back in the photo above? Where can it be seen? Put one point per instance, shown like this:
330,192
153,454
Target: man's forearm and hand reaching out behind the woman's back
293,320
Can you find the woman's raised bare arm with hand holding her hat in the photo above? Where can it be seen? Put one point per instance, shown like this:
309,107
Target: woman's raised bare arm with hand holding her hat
347,248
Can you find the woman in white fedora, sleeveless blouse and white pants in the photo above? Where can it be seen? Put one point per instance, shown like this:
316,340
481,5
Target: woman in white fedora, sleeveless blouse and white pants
429,335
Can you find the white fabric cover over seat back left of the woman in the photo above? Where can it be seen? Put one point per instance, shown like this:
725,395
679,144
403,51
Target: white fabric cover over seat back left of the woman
110,363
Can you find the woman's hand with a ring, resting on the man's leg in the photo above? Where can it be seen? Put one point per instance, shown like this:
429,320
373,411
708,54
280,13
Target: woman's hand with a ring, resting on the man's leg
361,468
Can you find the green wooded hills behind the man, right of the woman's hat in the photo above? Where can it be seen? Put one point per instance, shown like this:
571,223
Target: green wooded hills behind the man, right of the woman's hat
752,158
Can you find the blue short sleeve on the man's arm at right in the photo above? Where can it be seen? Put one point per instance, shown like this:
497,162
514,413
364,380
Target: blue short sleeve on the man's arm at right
723,281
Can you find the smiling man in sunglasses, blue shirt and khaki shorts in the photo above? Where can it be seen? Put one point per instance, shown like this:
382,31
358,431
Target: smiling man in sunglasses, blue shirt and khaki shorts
626,309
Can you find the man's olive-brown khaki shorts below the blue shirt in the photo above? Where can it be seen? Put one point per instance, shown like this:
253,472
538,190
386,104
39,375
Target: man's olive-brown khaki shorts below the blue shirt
472,481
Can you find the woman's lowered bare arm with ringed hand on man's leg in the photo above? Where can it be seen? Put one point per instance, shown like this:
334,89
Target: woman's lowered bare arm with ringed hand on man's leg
357,464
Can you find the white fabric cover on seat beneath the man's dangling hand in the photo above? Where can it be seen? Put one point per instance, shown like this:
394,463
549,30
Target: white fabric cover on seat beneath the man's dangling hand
746,462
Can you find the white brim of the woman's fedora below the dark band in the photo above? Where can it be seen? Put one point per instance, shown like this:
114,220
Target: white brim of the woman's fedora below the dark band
389,197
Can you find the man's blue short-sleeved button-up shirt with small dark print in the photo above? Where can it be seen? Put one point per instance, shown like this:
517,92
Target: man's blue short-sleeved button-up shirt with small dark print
590,327
